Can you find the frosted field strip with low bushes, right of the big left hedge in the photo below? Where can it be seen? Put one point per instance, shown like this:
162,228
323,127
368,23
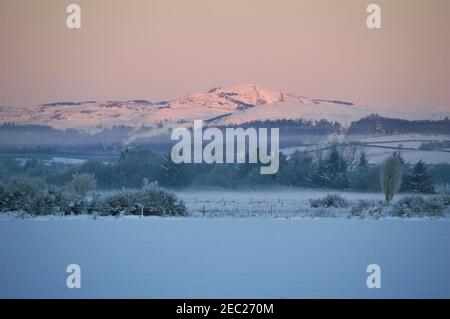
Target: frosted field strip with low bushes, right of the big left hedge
296,203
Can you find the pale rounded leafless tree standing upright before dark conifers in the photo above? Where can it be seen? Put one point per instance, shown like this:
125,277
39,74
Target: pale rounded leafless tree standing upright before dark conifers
391,176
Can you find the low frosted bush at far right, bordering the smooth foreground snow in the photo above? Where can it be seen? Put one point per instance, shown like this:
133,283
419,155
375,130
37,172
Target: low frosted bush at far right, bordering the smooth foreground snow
419,206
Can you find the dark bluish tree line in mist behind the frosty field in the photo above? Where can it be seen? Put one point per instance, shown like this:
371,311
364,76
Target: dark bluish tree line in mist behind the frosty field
340,166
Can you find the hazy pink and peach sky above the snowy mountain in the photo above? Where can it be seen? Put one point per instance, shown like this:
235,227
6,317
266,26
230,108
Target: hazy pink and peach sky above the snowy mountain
164,49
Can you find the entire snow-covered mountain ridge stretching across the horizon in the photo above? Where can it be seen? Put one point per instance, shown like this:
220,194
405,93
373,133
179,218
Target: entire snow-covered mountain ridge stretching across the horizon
220,106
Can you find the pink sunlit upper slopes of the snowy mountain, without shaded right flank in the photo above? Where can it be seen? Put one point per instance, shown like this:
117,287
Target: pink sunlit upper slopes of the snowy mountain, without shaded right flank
94,115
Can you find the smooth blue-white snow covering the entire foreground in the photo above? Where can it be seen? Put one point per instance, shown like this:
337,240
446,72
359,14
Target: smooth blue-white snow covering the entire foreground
223,257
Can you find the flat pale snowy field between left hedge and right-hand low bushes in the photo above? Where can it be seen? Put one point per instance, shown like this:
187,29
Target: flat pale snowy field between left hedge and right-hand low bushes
271,203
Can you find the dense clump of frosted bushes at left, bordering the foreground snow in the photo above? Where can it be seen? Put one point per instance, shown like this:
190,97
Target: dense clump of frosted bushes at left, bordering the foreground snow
34,196
